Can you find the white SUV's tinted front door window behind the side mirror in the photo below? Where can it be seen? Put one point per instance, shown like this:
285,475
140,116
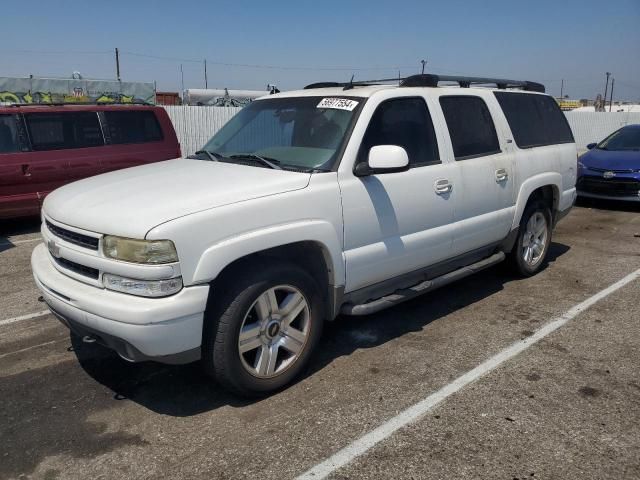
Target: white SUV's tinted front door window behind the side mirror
404,122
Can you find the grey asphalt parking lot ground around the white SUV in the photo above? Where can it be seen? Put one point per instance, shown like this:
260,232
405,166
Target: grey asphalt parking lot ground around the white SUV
568,406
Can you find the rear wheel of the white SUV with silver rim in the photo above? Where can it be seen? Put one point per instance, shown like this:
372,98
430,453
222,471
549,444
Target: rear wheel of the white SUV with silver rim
525,258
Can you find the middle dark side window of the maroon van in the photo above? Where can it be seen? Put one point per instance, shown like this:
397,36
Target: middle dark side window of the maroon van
55,131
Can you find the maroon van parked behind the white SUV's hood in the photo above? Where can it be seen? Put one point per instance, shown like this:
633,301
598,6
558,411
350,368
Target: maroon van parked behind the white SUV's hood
45,146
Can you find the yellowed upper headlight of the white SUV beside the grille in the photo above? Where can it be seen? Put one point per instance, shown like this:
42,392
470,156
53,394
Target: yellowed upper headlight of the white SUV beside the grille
139,251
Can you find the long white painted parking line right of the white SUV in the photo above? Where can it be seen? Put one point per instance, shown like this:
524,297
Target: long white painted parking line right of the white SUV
413,413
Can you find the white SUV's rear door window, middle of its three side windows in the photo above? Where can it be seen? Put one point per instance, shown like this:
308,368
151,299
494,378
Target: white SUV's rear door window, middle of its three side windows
470,125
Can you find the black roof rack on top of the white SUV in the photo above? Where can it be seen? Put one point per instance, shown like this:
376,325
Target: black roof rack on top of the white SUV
431,80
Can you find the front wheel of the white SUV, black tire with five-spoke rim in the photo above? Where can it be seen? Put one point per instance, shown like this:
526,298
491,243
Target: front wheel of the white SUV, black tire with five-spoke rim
279,309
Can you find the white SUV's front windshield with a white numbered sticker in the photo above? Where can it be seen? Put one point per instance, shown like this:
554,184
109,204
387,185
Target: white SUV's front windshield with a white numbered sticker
301,133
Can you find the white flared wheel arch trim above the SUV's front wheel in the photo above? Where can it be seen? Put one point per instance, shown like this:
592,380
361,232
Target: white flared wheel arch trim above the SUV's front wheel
218,256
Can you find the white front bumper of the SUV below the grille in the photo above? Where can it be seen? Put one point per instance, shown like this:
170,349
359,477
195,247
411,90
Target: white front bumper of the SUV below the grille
167,330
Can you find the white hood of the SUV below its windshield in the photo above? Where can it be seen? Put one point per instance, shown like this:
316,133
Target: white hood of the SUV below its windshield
132,201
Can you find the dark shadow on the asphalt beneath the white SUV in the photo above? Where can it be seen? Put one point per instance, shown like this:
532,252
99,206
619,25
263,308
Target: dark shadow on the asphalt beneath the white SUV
184,390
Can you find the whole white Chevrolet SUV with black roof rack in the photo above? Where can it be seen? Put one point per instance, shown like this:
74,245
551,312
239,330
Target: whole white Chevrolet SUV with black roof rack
336,199
